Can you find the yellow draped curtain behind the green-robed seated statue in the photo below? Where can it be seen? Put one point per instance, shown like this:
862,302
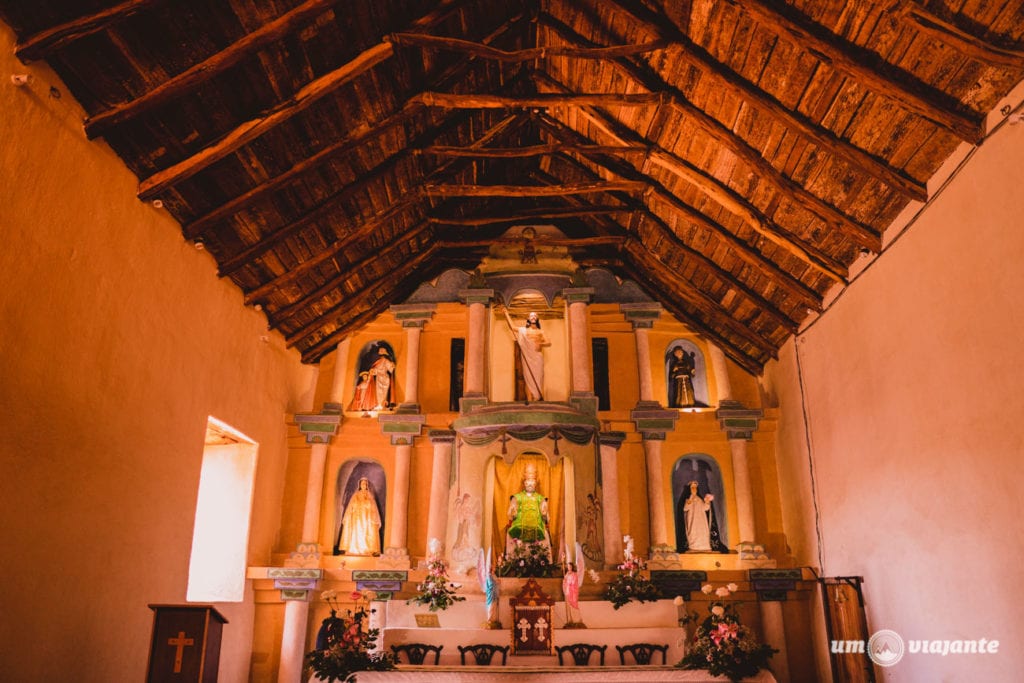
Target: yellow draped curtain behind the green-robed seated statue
550,484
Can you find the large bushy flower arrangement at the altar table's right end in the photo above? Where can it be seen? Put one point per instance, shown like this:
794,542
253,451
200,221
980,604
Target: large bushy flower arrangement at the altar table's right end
722,645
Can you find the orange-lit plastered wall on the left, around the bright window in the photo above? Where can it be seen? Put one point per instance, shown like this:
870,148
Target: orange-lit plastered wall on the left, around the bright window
118,341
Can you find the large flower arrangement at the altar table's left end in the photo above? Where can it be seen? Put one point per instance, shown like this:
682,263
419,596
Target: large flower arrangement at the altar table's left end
346,645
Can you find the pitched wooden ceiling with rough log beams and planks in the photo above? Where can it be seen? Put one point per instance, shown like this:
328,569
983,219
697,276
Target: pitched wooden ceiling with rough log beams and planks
735,159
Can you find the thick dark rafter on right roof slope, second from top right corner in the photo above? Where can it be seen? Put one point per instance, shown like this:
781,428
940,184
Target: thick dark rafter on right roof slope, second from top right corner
913,95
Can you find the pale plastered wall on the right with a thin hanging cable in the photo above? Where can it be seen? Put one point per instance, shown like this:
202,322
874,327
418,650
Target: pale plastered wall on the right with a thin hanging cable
912,394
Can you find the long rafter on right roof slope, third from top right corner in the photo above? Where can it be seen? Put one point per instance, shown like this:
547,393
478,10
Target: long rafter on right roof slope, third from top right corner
827,140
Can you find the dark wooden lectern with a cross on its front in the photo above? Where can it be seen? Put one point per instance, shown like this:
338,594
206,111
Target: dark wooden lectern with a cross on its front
186,645
